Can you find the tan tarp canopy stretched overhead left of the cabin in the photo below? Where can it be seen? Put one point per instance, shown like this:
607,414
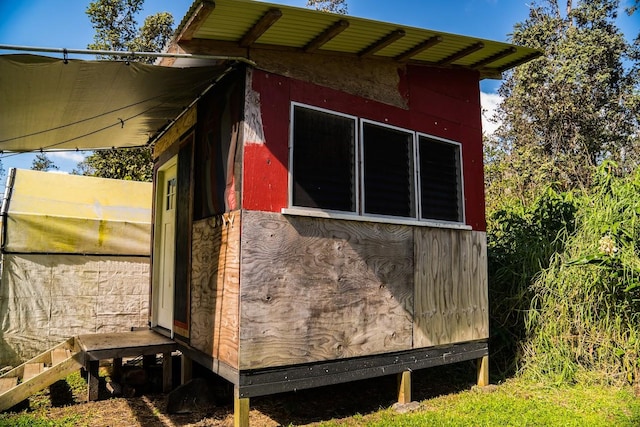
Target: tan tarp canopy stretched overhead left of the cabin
55,104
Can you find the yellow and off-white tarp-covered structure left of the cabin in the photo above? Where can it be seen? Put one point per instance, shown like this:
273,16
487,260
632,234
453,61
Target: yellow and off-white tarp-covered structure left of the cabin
75,259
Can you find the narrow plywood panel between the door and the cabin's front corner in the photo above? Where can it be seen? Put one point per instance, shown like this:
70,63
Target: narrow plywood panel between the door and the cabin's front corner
215,286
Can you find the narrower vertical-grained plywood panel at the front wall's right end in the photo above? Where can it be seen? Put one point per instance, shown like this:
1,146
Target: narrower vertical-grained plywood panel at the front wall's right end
450,287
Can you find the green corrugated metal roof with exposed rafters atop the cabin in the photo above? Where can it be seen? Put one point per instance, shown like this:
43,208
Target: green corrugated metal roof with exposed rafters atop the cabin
295,28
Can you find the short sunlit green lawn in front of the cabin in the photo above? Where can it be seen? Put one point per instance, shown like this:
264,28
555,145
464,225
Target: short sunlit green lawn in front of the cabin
516,403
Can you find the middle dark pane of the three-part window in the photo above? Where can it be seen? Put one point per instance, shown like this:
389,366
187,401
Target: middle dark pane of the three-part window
389,177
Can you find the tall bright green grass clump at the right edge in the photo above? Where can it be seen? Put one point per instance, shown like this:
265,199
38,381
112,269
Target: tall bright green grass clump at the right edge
584,319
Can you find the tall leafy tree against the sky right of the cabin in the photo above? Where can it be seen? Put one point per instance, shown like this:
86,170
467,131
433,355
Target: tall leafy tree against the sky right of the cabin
572,108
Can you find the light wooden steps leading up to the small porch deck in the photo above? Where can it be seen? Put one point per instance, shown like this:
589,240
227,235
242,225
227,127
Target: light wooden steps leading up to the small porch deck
39,372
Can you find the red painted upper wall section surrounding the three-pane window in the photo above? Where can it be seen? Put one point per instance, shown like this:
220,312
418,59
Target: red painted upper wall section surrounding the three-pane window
442,102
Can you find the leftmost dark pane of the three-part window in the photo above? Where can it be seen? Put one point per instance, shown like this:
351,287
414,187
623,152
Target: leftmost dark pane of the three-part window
323,160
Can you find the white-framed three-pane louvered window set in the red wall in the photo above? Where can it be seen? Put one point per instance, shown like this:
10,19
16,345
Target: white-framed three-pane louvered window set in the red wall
381,170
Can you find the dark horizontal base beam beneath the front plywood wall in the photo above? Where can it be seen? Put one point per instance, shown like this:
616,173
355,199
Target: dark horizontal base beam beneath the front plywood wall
278,380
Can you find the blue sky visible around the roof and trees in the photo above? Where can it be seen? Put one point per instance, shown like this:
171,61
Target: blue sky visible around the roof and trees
64,24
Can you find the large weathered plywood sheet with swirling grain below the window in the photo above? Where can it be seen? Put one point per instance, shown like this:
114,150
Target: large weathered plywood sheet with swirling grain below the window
319,289
